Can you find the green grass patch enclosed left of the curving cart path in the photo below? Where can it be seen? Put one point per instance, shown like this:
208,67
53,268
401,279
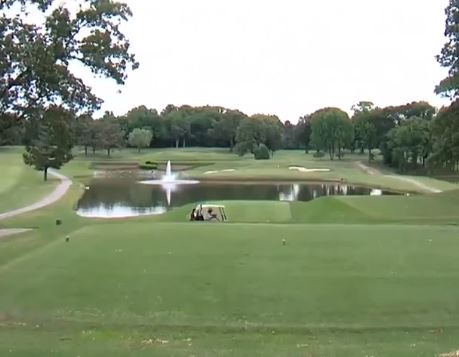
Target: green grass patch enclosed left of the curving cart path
20,185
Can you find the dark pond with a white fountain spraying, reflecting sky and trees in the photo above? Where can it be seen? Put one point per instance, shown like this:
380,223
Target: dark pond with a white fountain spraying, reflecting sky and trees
125,197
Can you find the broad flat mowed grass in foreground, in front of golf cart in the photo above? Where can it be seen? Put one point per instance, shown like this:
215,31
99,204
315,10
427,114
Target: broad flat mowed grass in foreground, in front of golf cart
334,290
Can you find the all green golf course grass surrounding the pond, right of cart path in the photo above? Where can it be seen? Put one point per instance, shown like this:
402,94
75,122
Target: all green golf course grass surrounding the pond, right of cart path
356,277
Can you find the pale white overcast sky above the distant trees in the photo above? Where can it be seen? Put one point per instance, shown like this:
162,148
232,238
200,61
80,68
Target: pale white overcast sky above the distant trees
284,57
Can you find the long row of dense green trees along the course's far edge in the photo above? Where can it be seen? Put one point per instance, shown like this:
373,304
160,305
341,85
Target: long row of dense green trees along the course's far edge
406,135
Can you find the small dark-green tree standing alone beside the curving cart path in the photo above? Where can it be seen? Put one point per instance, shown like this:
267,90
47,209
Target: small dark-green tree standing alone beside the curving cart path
52,148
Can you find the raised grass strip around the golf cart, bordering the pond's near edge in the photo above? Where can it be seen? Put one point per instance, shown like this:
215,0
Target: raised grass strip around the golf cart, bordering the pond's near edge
417,209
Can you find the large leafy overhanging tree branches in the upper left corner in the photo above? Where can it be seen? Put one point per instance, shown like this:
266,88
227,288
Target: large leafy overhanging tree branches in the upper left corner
37,56
